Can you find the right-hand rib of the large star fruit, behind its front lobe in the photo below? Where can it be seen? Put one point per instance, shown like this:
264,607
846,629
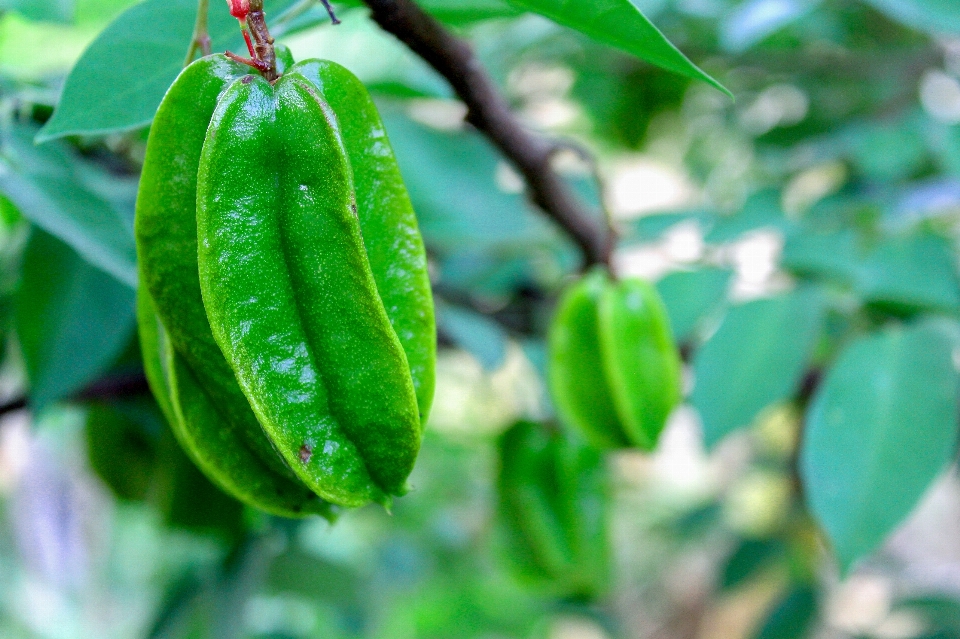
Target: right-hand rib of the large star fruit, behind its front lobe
387,220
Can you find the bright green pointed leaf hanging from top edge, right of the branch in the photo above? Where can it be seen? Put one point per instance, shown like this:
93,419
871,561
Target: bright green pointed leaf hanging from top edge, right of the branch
620,24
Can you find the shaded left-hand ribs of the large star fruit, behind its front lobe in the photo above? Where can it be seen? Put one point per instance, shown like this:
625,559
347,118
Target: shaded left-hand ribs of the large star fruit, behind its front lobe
166,237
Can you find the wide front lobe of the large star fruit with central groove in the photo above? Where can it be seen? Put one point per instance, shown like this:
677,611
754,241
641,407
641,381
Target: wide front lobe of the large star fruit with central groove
290,296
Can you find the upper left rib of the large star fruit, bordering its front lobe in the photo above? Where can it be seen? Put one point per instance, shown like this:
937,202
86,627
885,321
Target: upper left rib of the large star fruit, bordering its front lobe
166,234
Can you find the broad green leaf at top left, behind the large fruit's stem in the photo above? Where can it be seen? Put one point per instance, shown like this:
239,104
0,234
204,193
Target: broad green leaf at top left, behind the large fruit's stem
121,78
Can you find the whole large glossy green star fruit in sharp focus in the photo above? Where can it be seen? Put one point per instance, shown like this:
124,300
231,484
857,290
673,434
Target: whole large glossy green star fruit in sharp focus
301,325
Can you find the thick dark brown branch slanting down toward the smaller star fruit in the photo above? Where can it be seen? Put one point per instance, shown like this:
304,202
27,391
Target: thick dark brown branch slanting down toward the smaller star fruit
490,114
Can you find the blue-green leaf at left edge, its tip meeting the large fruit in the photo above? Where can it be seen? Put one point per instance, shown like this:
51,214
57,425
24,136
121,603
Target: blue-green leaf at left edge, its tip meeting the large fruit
48,185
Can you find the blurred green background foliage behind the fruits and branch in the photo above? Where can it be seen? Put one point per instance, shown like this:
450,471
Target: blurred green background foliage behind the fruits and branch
804,238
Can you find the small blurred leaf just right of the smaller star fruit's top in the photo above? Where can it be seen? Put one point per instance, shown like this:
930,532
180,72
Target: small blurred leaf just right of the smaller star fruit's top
692,295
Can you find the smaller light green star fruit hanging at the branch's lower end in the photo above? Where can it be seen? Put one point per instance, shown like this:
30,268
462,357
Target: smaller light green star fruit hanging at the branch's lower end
615,372
